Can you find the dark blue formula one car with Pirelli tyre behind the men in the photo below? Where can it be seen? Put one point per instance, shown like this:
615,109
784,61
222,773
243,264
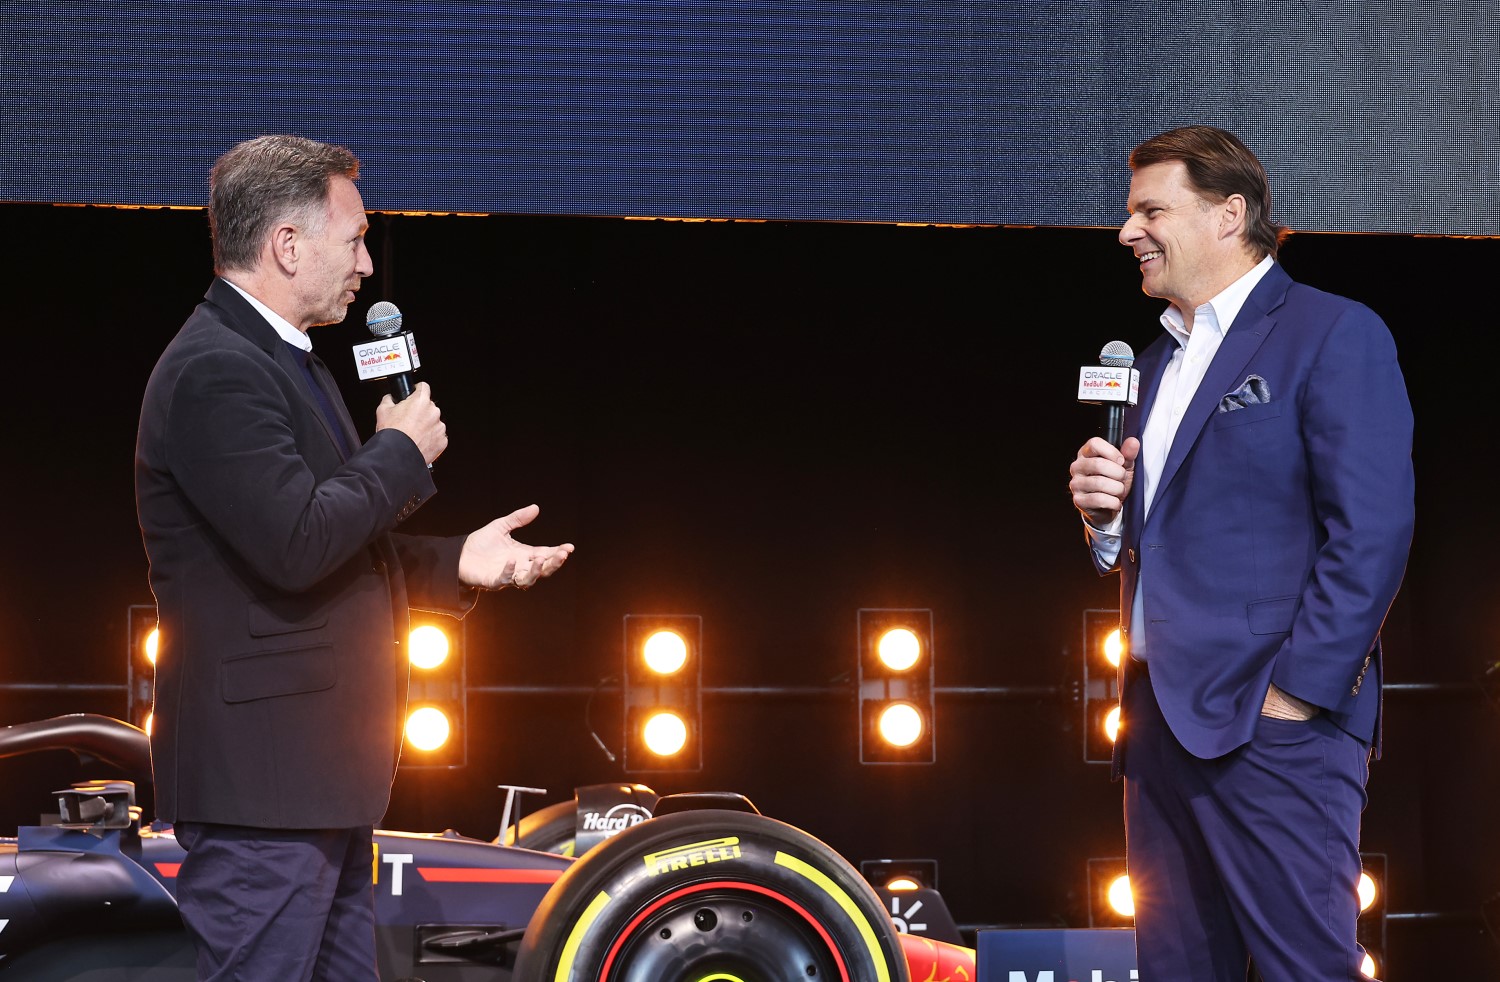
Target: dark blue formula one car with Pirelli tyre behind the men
707,890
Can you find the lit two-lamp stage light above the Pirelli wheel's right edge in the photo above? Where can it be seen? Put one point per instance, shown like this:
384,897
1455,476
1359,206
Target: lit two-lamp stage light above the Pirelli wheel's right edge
896,686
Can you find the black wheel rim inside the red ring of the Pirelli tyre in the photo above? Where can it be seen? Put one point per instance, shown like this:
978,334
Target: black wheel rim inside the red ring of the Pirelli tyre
724,932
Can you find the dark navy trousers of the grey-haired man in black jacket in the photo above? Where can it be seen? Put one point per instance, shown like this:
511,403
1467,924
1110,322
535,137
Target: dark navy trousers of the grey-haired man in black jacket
280,905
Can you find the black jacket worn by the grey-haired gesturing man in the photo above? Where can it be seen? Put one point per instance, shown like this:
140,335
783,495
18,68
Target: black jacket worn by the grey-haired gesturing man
280,587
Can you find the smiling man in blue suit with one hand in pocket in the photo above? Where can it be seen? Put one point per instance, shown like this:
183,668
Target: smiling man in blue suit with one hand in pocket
1261,512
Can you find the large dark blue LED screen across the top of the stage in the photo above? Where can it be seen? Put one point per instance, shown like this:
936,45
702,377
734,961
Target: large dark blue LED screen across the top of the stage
1370,116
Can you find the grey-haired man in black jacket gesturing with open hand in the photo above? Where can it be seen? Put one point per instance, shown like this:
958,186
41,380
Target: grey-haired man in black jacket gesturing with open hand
283,591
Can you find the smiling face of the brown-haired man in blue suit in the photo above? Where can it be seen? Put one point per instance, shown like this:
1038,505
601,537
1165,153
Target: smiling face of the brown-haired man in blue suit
1177,238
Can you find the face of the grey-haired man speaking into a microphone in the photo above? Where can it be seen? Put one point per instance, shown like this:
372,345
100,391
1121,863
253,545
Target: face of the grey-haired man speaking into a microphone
337,260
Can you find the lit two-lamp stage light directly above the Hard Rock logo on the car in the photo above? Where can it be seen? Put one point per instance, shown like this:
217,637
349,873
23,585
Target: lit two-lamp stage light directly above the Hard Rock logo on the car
664,693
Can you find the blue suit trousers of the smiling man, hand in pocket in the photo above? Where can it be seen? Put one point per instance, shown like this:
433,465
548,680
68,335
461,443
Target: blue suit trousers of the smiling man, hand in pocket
1252,855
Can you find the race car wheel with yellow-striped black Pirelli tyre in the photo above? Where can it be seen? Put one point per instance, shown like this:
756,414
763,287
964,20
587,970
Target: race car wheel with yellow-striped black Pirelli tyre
712,897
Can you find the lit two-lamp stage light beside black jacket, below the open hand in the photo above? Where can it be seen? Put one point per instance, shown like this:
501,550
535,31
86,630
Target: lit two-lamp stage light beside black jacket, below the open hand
437,693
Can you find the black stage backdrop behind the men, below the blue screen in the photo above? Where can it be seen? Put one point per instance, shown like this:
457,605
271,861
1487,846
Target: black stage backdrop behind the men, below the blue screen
772,425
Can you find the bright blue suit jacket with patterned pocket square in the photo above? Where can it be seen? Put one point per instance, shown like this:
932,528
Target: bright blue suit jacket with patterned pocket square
1279,531
